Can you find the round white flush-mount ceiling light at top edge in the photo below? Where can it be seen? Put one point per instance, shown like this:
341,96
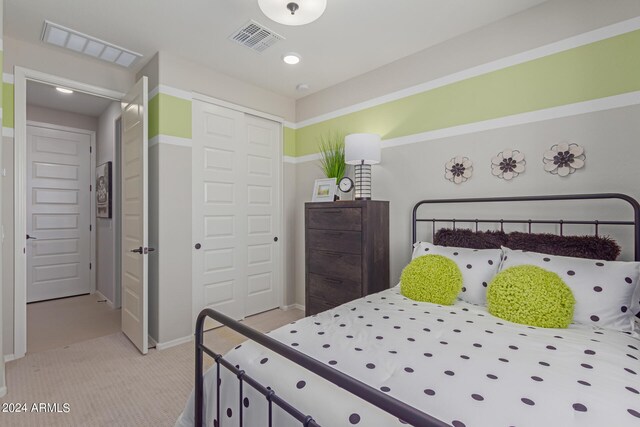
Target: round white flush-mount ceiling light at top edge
293,12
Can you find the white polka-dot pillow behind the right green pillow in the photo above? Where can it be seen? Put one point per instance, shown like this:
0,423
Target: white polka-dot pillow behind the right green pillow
603,289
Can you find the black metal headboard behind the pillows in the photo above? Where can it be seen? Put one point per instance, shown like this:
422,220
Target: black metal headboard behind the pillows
561,222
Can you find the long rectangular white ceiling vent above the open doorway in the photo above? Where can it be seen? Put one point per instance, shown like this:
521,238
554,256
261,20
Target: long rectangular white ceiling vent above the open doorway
60,36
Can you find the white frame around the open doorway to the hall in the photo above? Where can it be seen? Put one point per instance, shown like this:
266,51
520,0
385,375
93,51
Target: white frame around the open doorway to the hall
21,76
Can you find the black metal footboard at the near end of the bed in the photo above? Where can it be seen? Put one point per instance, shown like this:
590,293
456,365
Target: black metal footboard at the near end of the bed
369,394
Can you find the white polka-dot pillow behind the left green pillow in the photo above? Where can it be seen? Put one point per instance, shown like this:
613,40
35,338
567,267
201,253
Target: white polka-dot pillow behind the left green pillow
478,266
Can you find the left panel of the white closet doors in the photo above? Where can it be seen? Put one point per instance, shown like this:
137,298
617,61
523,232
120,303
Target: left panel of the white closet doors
219,209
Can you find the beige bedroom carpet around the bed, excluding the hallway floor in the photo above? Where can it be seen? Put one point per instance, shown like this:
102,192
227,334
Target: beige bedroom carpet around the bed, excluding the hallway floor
106,382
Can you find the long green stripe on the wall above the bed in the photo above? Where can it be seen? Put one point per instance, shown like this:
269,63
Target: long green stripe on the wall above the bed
597,70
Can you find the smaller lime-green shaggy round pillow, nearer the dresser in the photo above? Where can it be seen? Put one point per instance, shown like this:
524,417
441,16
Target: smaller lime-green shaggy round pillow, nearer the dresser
431,278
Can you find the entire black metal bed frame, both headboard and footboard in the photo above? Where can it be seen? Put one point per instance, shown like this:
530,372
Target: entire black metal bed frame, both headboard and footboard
367,393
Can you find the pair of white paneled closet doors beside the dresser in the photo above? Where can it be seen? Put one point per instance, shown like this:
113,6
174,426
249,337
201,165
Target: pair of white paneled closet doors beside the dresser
235,211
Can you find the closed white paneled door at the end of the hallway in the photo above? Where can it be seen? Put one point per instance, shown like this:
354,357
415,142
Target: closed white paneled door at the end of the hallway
58,213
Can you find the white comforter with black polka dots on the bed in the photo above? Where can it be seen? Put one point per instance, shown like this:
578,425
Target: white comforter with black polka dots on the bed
458,363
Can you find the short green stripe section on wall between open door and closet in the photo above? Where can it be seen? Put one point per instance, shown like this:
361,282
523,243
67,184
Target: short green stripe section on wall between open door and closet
174,116
